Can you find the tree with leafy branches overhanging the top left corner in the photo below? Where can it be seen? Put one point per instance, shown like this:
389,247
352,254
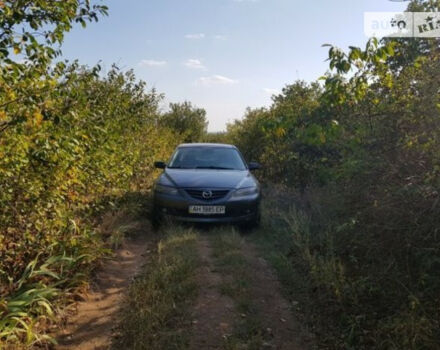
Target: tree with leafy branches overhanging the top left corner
31,32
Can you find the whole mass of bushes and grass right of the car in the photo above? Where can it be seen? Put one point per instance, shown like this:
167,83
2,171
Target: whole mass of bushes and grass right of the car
358,153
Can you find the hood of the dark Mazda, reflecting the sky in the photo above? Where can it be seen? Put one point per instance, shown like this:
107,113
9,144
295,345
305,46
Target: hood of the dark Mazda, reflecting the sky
207,178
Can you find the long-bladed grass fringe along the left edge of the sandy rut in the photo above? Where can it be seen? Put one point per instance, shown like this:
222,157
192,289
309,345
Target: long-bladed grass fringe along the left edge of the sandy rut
34,303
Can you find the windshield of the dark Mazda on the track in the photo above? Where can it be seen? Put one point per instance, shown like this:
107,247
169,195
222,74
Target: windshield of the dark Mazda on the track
207,158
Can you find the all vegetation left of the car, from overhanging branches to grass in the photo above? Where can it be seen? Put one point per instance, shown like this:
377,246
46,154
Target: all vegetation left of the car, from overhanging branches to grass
74,143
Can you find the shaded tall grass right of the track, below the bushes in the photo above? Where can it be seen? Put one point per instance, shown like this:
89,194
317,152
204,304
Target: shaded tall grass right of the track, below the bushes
345,289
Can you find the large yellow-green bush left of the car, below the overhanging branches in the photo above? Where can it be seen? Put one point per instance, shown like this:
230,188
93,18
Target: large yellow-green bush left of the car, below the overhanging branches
91,139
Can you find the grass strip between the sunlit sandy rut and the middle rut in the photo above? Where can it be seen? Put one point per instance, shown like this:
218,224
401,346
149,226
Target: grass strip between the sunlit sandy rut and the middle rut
156,310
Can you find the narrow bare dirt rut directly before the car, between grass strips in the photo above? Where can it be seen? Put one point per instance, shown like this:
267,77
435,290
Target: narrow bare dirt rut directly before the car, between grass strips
213,312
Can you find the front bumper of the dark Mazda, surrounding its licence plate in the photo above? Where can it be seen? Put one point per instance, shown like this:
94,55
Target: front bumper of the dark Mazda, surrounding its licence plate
237,210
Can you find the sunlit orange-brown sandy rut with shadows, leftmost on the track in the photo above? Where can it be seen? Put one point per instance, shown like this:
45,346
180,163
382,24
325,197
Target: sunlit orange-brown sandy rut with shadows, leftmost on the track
92,326
